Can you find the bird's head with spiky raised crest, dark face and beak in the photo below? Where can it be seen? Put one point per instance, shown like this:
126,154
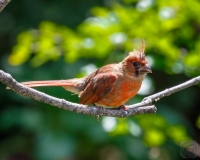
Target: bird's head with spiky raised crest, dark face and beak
135,64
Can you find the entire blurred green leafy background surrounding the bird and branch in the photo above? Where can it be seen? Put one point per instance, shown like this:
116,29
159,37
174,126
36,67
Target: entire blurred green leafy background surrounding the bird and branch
72,39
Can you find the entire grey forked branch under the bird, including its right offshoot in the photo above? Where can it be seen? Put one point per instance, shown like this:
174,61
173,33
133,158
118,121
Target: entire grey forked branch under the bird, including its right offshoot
144,107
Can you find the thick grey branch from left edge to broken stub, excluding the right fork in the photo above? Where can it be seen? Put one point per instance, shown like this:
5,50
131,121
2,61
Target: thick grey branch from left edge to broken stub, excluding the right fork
63,104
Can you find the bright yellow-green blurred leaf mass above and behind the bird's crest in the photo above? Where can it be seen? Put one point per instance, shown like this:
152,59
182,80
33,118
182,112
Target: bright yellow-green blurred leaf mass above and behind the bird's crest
119,27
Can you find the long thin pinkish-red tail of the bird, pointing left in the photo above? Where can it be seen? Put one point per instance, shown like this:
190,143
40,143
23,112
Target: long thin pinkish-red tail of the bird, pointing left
73,85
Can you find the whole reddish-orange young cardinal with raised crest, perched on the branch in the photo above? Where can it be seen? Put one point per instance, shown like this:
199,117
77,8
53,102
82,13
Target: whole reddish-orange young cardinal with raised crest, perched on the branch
109,86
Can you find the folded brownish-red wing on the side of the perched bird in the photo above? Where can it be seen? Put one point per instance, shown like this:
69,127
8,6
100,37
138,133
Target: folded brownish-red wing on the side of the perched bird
97,88
